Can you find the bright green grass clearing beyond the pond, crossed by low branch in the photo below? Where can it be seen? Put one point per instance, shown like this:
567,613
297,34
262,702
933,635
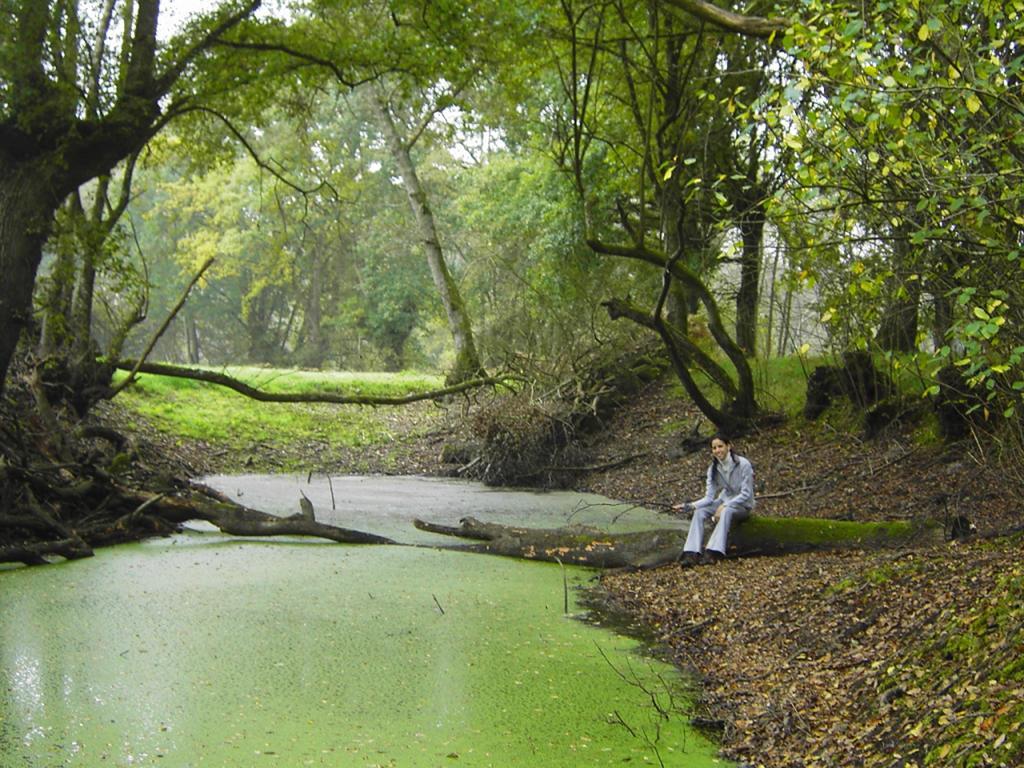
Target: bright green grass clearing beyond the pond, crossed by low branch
199,411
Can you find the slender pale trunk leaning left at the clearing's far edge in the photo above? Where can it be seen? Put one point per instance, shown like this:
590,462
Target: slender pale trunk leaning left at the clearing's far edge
467,365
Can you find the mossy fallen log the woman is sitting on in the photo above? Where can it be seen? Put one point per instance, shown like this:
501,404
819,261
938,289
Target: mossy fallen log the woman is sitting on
648,549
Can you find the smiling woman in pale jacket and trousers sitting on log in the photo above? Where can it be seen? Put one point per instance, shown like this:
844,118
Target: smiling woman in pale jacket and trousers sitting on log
729,498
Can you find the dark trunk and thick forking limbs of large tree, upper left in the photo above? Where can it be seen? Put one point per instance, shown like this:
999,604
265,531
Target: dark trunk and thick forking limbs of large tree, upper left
49,149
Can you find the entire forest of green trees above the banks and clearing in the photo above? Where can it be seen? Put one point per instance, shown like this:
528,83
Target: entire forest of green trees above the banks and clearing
480,188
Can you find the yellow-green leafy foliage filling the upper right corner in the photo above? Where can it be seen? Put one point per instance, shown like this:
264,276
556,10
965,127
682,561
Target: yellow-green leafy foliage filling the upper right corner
906,123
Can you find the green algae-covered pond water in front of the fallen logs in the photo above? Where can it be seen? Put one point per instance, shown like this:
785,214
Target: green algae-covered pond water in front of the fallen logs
207,651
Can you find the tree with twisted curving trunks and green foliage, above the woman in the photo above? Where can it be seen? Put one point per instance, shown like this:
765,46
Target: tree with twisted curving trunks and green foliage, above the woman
650,95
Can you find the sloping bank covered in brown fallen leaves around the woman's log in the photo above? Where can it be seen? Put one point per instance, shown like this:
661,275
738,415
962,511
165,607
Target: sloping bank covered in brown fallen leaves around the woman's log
888,659
